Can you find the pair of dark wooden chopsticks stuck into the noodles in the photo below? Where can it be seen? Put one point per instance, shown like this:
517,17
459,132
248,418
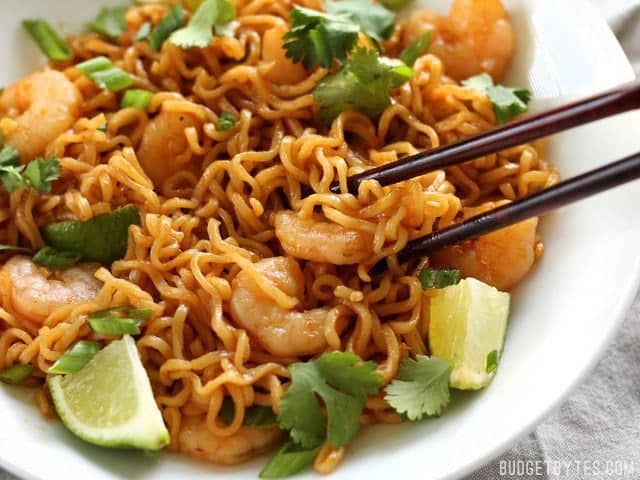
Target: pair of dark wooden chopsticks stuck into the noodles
607,104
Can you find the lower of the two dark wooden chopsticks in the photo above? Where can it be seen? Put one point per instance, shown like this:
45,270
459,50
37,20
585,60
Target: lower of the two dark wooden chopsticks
564,193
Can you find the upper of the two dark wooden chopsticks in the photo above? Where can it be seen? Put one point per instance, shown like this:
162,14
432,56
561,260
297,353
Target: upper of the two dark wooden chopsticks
600,106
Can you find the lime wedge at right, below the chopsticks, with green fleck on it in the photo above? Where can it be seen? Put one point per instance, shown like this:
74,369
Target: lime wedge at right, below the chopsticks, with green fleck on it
467,326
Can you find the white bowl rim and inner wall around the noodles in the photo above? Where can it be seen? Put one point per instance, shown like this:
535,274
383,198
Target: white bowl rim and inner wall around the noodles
563,317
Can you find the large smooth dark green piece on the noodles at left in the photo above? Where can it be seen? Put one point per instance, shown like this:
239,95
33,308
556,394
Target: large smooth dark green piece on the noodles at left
102,239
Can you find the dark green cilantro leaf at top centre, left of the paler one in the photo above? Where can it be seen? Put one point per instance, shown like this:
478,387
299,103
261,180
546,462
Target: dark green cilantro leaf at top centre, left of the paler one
316,38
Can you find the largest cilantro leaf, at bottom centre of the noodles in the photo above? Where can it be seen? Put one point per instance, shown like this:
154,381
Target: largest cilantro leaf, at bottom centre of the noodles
342,382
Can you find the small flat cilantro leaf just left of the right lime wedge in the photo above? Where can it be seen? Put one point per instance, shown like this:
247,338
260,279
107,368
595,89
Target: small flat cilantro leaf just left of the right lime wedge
421,387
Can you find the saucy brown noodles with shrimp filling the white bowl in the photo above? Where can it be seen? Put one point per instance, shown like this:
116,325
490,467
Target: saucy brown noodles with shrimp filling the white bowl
243,260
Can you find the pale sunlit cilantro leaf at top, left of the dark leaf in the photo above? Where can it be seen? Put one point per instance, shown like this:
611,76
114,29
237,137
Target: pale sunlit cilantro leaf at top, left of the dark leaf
211,14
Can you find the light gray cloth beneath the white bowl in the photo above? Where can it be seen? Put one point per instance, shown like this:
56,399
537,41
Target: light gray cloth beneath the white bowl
596,433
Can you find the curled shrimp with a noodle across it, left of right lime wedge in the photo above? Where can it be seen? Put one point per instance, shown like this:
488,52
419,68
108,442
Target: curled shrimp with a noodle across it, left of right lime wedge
282,332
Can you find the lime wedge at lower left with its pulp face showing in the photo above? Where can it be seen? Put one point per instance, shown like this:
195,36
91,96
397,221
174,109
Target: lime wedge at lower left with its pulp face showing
109,402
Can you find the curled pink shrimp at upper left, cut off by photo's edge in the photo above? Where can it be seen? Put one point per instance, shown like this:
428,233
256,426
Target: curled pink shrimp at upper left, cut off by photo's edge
42,106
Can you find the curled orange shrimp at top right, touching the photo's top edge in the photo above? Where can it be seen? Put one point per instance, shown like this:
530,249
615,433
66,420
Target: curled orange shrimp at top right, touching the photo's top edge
476,37
